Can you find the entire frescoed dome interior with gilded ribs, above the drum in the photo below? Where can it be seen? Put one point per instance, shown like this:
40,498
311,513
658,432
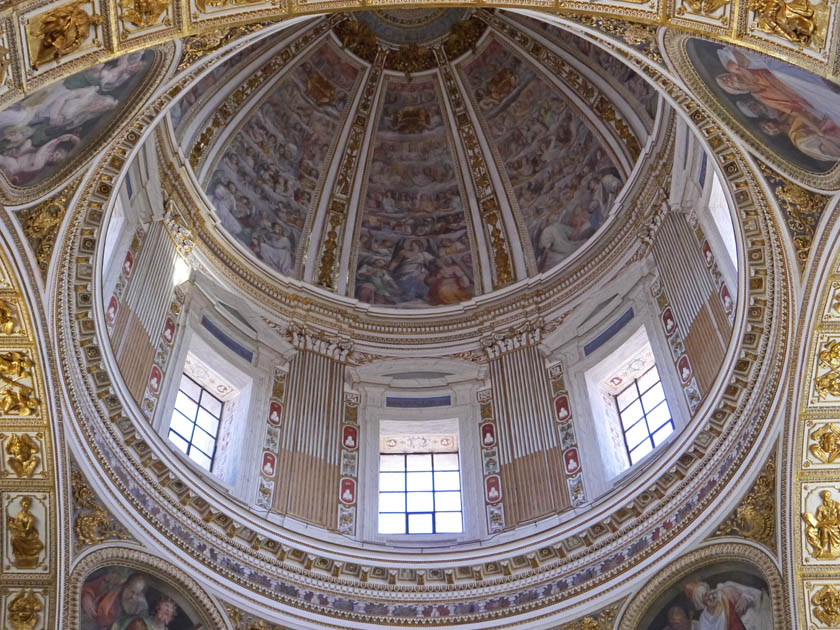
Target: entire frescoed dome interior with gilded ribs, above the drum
415,159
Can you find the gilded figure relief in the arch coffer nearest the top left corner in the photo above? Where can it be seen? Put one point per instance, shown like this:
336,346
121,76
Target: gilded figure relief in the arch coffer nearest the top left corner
60,31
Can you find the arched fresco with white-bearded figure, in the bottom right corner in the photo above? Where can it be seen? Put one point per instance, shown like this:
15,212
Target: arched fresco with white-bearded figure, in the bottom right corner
728,596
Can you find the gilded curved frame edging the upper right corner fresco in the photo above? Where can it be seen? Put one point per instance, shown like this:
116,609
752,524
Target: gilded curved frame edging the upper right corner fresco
677,57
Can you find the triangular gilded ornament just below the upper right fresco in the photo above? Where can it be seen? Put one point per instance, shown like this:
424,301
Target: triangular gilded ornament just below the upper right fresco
802,210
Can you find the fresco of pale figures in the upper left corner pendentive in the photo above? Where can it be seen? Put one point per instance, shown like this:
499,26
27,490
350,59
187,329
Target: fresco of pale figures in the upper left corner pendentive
45,131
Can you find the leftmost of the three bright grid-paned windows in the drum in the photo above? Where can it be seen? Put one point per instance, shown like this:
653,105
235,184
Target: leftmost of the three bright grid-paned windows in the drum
195,422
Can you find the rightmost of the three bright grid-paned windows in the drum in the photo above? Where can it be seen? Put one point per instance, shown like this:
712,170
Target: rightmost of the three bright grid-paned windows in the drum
645,416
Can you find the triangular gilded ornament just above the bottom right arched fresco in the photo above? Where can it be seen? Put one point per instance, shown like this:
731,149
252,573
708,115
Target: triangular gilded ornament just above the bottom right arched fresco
754,518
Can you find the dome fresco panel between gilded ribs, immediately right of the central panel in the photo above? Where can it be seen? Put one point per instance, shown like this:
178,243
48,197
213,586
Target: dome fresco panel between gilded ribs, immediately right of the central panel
562,177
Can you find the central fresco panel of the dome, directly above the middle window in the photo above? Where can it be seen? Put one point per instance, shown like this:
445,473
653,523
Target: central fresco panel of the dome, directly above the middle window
414,247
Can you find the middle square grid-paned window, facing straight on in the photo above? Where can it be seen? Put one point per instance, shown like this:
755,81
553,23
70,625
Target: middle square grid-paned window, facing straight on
420,493
